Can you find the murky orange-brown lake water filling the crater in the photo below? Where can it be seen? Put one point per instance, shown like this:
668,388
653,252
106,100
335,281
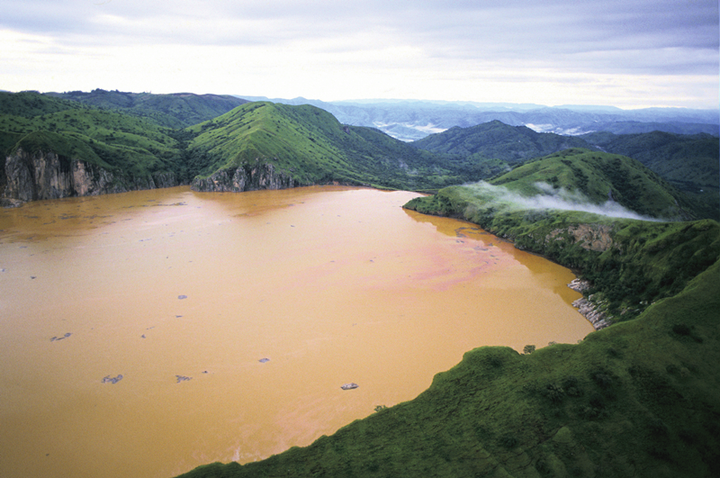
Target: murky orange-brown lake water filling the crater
331,284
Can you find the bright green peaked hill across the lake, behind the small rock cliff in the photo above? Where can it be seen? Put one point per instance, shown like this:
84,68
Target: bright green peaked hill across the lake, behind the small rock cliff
313,147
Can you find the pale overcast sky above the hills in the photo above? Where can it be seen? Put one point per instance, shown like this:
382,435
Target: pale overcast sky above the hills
626,53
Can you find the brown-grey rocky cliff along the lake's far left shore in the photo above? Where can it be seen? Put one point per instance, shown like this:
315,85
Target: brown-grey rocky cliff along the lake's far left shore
47,175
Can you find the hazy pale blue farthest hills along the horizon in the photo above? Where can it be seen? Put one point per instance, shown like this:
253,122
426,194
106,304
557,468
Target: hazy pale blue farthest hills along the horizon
410,120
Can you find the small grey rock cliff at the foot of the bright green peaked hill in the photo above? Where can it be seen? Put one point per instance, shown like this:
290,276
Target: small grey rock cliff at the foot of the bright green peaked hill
245,178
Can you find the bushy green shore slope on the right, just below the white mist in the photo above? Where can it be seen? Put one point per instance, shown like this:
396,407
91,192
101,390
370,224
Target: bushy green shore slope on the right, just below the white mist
641,263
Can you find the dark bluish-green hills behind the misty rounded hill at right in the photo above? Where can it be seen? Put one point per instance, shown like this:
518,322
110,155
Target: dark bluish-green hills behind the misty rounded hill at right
691,163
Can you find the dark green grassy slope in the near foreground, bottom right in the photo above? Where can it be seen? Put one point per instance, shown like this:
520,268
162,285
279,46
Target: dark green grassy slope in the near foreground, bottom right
640,398
